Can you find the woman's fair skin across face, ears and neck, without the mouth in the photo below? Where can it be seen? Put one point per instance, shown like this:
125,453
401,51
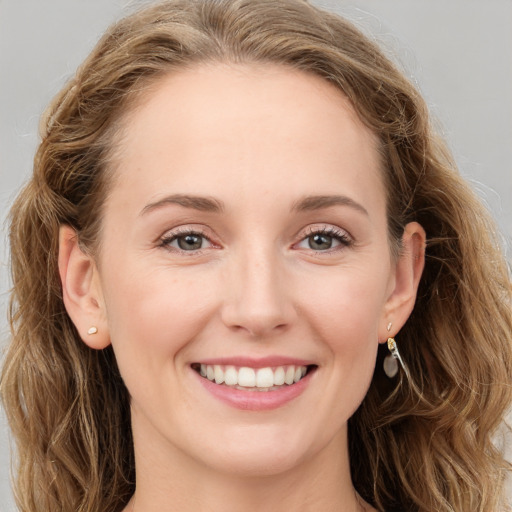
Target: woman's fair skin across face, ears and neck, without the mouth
259,139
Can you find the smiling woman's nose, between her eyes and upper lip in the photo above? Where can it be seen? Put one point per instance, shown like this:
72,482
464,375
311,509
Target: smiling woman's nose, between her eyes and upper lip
257,300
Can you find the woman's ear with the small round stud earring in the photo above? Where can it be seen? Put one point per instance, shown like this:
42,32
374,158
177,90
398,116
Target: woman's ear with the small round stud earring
81,290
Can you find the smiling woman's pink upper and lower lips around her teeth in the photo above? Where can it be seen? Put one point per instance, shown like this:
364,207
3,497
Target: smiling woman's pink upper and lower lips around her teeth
255,400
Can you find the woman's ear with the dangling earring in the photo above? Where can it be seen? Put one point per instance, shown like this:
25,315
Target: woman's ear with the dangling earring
408,270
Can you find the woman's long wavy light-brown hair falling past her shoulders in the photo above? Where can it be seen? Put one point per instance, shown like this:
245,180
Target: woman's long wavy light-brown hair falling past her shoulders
422,444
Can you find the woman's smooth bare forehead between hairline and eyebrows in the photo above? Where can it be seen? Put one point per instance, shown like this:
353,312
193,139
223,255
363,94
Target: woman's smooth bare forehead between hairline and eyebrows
215,123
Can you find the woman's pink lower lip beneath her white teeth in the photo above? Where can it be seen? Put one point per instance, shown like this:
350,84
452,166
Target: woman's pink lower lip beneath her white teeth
255,400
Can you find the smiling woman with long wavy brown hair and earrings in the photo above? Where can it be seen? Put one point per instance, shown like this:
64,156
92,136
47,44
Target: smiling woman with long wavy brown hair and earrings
236,207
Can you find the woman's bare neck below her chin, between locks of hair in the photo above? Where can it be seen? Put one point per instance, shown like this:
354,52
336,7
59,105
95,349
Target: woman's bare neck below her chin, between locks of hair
169,480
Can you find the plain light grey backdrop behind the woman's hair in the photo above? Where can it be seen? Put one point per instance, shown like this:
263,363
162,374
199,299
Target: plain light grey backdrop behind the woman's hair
459,53
